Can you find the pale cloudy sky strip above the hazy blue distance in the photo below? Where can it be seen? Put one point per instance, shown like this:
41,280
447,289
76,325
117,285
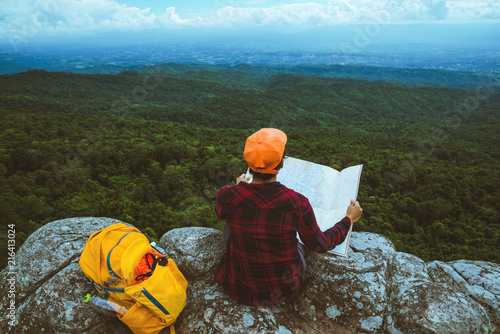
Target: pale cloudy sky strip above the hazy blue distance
32,18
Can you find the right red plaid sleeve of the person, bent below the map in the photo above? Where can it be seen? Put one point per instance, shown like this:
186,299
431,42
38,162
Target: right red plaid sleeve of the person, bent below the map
311,235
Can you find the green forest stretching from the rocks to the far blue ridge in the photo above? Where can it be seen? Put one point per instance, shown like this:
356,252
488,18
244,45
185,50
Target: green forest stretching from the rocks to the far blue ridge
151,148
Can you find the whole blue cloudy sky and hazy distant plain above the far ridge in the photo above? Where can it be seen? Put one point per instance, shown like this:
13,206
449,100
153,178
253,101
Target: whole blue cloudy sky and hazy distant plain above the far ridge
449,34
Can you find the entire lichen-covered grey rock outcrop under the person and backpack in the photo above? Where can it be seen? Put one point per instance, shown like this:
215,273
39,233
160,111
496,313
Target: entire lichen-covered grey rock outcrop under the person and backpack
374,290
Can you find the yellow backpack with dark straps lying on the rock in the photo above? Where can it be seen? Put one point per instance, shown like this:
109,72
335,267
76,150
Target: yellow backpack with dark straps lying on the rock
109,261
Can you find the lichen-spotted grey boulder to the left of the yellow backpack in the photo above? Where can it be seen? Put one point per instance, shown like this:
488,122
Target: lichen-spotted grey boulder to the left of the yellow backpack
50,286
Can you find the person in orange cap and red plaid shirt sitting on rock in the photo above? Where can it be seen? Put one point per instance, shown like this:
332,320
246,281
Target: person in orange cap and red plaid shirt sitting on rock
263,261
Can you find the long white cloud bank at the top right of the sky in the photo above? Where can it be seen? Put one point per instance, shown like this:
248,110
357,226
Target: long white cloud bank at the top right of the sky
355,11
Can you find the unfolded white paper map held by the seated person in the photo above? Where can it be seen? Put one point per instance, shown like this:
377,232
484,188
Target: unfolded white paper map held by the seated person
328,190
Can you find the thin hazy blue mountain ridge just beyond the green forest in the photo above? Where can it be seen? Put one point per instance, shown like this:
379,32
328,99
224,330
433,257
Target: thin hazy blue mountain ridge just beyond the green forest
409,76
